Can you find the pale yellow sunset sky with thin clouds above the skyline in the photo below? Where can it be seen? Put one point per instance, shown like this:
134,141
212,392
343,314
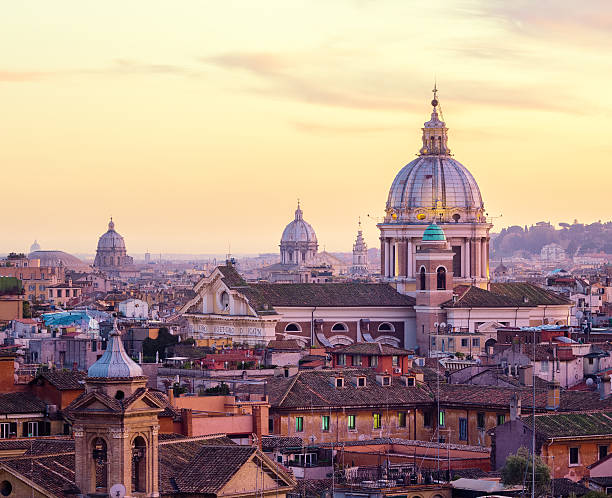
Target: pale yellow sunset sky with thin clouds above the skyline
197,125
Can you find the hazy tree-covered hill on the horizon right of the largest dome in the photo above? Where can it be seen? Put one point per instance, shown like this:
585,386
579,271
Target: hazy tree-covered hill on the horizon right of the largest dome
576,239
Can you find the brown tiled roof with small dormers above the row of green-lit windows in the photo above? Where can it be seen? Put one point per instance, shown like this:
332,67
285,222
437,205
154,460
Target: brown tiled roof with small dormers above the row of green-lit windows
313,388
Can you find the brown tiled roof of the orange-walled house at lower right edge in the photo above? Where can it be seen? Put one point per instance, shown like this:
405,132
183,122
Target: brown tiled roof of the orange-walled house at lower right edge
572,424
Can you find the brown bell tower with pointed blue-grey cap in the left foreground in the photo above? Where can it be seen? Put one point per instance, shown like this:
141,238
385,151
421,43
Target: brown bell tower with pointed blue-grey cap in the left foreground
116,427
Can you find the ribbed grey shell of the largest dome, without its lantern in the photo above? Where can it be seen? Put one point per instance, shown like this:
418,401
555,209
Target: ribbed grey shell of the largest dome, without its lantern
431,182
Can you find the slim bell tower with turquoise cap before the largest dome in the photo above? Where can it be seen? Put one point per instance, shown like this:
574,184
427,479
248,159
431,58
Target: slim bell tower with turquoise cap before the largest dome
434,265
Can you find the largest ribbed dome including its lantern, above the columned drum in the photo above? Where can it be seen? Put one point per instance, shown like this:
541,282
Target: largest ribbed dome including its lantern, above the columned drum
435,185
